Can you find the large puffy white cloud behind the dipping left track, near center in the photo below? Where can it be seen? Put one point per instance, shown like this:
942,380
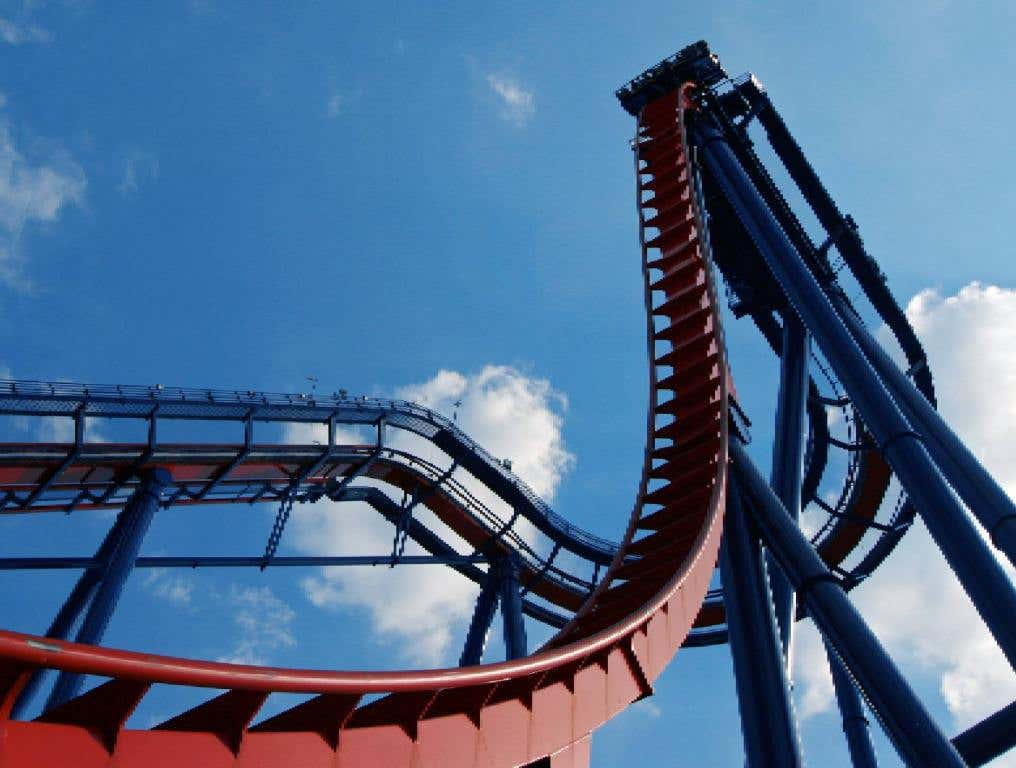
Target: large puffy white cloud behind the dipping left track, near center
423,611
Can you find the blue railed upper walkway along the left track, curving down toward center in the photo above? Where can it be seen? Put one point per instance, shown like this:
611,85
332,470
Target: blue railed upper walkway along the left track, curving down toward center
250,409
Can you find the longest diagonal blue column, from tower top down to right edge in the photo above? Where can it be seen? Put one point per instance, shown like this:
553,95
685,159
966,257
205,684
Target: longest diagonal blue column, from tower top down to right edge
971,559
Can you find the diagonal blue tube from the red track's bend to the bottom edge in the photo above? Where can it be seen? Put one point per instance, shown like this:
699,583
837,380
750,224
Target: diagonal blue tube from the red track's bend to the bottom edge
905,719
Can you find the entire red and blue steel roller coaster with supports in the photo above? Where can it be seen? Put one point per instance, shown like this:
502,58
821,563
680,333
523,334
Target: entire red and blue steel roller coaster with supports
713,223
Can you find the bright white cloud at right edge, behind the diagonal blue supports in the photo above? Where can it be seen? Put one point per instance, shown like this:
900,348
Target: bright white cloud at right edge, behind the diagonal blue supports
914,603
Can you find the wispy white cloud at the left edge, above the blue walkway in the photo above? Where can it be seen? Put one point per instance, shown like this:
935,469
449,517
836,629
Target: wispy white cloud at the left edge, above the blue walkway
31,193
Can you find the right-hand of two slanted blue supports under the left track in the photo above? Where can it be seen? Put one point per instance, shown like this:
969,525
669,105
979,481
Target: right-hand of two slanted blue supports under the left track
140,510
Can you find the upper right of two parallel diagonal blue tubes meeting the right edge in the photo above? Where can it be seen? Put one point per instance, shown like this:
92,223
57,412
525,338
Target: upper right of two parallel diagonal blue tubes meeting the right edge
985,497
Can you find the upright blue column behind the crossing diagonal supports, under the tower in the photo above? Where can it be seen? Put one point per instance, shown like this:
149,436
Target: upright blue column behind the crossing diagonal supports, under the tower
789,458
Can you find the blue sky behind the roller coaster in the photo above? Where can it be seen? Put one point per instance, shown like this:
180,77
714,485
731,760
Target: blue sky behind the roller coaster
219,196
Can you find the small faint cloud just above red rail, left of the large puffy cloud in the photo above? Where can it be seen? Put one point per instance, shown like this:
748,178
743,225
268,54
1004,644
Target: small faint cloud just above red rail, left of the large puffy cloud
264,623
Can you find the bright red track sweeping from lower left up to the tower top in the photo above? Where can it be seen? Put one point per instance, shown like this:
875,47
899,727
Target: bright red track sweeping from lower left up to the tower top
503,715
